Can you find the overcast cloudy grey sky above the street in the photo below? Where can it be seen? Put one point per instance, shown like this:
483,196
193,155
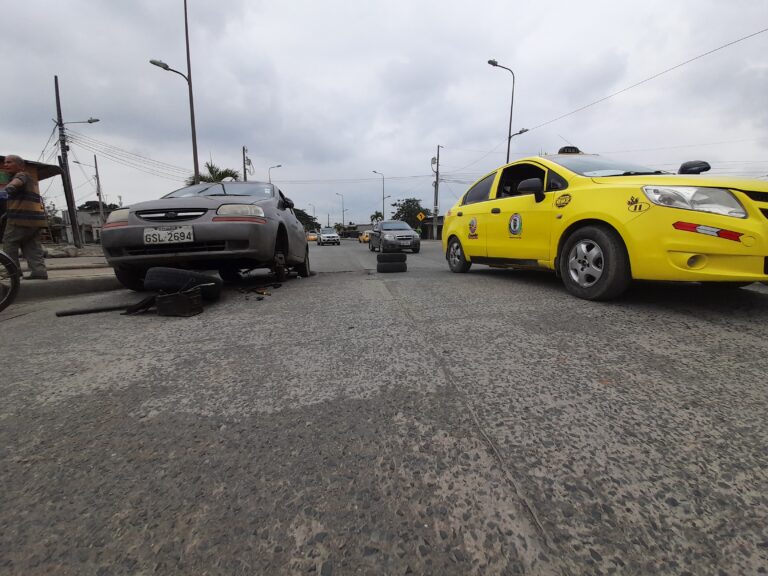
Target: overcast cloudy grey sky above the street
333,90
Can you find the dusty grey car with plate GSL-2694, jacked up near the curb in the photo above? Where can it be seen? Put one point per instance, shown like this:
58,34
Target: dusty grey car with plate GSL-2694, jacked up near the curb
231,227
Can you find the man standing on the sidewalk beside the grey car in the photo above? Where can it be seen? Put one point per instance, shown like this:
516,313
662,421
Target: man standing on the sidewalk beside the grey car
26,219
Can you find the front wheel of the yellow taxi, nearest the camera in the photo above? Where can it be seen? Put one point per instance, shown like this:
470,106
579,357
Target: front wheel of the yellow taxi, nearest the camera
594,264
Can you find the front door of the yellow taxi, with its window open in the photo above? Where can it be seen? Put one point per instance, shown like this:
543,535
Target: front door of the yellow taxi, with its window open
519,223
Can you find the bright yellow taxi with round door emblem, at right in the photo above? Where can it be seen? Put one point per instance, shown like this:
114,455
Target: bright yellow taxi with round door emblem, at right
600,223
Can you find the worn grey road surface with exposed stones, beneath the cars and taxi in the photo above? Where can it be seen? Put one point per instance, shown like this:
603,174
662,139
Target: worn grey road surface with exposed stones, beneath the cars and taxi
416,423
